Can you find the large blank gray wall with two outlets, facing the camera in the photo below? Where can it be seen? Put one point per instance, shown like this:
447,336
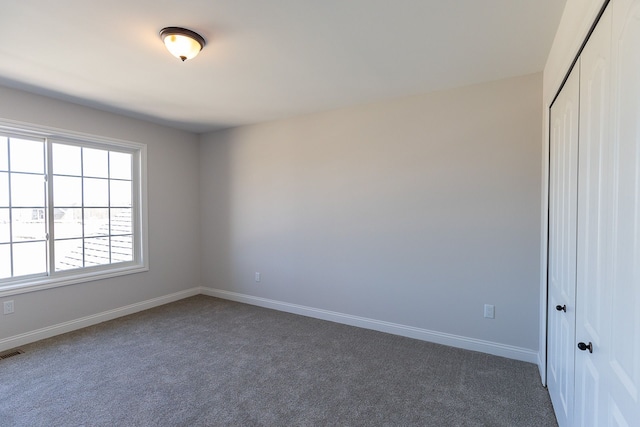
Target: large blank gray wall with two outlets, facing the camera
415,212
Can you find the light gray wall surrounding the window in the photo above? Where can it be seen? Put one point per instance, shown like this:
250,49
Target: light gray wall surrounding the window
173,224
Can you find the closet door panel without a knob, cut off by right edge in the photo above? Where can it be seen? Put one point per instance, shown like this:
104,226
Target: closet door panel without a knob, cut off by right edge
622,350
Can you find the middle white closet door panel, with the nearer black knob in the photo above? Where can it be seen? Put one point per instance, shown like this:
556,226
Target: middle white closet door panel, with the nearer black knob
593,296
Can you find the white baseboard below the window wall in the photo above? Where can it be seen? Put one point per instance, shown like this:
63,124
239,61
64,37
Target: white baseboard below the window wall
83,322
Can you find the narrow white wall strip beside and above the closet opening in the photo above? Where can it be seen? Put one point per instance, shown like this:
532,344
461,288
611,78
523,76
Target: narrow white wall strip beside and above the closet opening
577,19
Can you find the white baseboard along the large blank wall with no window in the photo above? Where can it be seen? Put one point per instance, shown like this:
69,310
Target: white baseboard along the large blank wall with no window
497,349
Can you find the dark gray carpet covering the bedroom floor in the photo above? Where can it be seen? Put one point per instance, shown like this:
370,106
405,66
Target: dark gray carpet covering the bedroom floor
204,361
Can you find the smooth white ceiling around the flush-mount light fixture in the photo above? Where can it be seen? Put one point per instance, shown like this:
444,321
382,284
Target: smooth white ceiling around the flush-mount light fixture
265,59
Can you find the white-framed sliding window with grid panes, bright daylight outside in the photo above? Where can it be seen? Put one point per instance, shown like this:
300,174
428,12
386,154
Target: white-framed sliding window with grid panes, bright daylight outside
71,209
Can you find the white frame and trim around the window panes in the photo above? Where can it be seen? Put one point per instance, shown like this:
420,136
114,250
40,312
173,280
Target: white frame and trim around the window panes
140,263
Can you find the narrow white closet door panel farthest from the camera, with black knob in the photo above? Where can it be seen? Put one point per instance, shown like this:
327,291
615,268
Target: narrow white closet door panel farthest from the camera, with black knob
562,247
